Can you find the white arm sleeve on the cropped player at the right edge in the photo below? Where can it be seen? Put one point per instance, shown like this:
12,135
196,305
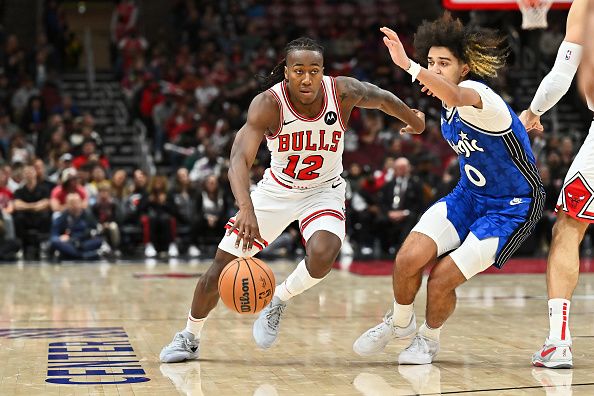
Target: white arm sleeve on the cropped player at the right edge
557,82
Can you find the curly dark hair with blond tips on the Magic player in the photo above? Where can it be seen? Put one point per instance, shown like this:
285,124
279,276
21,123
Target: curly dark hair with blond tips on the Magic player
484,50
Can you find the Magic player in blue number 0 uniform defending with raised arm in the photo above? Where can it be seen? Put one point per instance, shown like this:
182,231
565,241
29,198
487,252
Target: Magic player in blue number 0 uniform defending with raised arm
494,206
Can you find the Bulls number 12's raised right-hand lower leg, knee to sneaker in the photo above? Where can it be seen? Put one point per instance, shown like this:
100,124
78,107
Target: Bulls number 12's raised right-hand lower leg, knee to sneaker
322,248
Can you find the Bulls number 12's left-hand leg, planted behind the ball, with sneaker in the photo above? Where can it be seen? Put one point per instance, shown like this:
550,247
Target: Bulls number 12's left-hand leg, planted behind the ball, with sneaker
186,343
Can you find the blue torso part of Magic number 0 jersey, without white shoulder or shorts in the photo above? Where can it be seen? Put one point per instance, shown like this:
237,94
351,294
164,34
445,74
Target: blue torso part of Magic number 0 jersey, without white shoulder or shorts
496,164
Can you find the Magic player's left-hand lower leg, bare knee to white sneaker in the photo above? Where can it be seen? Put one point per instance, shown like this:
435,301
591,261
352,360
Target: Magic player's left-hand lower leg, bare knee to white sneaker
417,251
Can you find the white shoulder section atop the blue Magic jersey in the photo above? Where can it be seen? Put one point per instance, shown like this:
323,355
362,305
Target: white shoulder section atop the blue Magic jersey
494,115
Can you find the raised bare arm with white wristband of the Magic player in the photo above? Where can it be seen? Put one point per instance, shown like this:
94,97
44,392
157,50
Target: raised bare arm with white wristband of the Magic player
451,94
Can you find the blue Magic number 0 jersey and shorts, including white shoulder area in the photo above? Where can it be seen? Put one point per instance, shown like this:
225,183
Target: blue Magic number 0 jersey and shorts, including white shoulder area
500,193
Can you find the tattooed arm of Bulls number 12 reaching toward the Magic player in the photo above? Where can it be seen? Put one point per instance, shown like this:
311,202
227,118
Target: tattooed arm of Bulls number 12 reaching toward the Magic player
355,93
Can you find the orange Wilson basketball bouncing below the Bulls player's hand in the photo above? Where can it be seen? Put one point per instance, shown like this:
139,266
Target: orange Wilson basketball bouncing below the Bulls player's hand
246,285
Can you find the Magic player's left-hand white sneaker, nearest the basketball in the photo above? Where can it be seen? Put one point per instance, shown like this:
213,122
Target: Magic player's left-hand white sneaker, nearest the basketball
375,339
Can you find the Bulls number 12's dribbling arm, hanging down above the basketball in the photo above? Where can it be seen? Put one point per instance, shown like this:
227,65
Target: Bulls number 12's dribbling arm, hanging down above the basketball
263,116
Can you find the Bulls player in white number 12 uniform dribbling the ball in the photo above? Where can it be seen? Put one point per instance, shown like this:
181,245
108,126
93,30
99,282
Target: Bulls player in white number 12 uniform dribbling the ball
303,118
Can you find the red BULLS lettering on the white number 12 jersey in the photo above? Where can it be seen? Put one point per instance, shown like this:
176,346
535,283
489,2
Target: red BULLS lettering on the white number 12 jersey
309,141
